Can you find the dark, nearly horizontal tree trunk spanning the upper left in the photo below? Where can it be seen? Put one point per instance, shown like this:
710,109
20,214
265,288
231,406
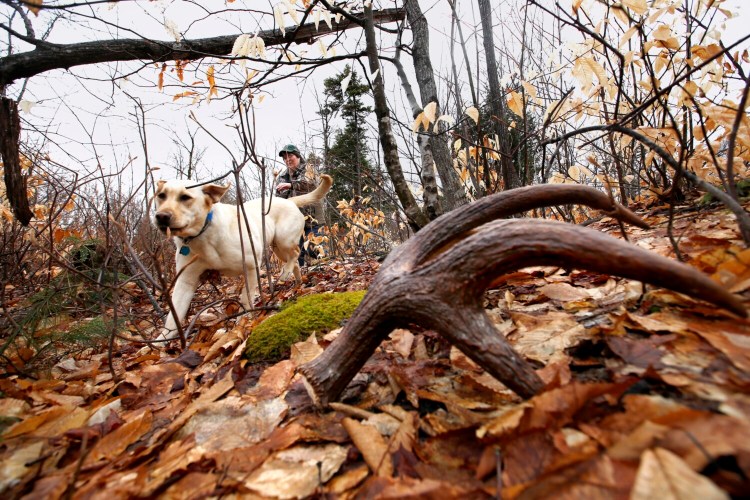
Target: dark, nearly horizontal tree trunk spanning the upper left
48,56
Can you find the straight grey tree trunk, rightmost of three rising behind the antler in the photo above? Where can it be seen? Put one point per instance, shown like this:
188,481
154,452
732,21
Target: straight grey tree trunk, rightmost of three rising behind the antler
510,176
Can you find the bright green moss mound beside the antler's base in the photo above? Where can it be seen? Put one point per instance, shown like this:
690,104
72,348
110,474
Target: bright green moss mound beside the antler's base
272,340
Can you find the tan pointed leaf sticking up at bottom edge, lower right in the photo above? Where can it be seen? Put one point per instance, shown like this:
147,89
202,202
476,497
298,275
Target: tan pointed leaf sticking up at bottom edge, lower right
665,476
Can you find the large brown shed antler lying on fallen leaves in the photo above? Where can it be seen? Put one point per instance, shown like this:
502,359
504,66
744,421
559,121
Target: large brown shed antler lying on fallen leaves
437,279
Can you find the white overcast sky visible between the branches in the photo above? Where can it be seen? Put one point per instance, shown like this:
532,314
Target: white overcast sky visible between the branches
72,109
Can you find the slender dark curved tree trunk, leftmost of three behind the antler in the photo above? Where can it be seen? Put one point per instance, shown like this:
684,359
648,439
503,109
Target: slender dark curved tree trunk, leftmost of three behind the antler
417,219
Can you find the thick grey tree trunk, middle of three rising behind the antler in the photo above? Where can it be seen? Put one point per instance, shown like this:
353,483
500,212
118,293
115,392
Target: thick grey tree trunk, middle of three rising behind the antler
455,196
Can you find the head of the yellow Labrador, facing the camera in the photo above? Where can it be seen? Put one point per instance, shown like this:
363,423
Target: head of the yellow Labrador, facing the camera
182,209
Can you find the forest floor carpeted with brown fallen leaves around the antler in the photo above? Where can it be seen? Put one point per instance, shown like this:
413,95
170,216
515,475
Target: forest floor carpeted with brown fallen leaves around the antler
646,396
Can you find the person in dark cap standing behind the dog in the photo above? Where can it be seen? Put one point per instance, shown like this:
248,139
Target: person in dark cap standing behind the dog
293,182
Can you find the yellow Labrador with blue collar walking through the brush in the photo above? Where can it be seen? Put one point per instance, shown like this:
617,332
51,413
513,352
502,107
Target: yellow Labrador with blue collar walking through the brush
207,236
